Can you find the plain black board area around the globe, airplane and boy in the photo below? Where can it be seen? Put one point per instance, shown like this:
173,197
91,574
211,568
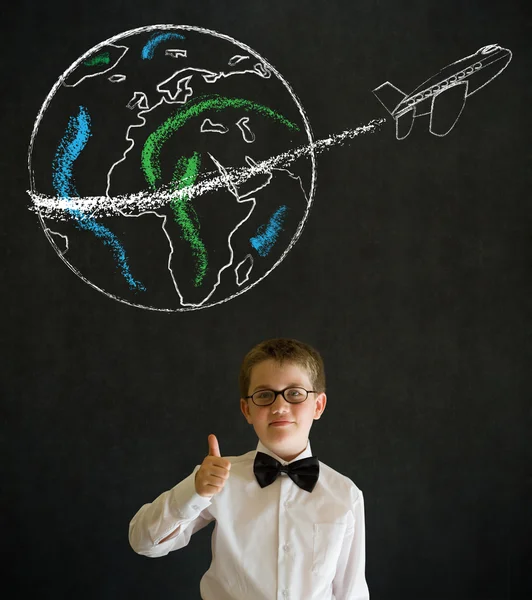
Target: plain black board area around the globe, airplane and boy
415,263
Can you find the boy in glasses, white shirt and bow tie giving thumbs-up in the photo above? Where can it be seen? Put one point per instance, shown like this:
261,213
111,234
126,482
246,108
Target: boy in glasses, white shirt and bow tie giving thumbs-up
295,535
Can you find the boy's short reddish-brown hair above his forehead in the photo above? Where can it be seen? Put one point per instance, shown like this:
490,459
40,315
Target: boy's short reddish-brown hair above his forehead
284,350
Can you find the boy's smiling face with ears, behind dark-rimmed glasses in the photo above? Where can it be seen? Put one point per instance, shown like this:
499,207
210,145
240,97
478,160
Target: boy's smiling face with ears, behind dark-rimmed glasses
286,441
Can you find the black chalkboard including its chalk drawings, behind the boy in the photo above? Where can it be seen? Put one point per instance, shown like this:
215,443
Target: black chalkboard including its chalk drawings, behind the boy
355,175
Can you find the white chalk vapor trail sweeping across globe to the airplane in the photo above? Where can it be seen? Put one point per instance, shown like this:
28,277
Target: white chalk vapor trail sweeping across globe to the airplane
134,204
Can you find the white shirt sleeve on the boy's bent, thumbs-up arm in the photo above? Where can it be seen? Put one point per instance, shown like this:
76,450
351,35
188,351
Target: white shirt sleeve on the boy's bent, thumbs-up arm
180,511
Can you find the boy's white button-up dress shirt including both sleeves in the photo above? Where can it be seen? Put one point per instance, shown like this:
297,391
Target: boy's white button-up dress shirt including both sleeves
274,543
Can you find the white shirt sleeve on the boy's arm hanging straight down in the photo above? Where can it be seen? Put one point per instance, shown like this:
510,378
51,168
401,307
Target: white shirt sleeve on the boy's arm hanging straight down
350,580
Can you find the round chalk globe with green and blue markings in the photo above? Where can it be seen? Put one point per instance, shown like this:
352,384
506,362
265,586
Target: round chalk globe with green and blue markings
155,159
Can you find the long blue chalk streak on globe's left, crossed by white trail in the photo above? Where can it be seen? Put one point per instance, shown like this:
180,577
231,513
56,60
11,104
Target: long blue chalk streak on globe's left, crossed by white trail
70,147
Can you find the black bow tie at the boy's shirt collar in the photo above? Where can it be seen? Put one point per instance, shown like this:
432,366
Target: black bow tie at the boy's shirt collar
303,472
